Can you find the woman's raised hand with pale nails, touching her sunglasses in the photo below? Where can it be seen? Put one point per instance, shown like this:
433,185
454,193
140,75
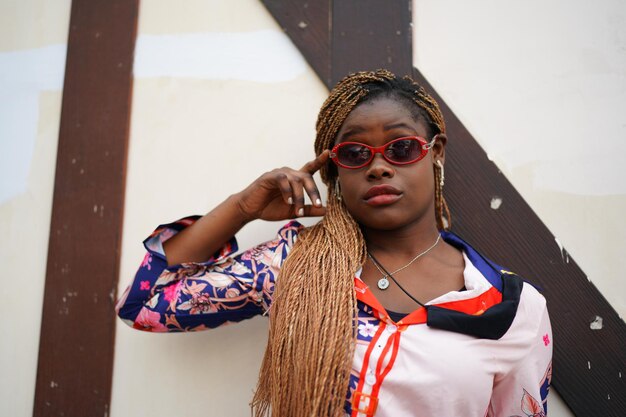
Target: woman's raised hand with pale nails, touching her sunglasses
279,194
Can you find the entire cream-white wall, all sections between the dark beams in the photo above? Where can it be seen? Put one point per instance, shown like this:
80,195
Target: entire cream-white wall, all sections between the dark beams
548,74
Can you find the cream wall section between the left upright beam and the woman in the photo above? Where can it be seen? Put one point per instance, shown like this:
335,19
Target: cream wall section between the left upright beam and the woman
220,96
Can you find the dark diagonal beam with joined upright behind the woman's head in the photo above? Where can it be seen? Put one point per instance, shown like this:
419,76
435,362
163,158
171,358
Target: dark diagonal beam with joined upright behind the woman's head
589,364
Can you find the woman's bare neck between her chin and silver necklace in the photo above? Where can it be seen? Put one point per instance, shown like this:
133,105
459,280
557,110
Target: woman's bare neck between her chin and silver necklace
406,241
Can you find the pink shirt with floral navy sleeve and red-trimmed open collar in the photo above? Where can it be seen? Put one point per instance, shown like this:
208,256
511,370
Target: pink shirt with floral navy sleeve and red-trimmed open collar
484,351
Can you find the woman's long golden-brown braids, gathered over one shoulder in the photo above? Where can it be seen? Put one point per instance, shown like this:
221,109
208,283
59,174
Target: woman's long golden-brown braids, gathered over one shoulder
307,363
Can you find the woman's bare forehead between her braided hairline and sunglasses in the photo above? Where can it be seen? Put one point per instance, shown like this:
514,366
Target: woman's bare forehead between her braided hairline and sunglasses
381,115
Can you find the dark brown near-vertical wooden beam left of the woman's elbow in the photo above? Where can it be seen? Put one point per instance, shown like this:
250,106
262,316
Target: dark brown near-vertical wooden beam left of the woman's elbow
78,325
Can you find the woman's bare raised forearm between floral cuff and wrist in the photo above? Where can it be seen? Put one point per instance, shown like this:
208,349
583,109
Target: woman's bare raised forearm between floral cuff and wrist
199,241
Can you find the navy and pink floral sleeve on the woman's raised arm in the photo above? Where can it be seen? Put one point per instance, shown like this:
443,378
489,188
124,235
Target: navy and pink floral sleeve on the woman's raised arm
198,296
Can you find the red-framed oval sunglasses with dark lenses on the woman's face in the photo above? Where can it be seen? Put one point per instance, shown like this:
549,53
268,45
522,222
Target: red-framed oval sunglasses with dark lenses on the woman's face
401,151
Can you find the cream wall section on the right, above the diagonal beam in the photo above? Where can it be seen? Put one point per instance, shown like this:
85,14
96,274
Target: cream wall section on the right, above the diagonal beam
542,87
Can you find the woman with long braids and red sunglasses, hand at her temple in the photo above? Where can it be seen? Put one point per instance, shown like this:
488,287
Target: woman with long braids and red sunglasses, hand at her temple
376,309
